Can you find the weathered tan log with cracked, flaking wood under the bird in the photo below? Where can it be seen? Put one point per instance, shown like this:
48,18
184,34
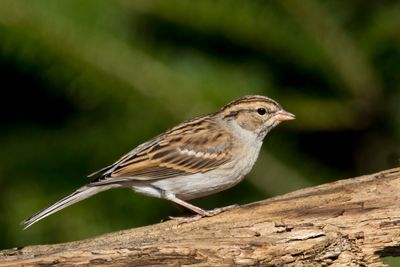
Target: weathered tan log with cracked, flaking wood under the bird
352,222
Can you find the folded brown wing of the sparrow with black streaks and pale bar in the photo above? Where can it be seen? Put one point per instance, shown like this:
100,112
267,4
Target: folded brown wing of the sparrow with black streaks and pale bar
196,146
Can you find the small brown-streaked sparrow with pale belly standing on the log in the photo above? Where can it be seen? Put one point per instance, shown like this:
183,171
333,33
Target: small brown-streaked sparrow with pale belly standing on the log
199,157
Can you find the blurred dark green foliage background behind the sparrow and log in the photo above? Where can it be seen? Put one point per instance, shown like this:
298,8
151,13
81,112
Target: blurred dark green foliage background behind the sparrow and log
84,82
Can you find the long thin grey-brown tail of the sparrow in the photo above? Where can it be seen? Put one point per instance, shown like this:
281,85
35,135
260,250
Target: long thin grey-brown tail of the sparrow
80,194
